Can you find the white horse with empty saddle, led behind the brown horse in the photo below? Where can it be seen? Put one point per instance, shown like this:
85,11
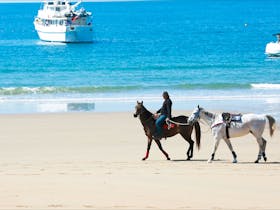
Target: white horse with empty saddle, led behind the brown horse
249,123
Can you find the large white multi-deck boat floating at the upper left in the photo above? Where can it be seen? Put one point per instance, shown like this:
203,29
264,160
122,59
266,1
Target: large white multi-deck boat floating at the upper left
61,21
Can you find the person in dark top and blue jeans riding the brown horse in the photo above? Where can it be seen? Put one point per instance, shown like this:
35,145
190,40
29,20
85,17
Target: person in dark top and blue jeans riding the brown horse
163,114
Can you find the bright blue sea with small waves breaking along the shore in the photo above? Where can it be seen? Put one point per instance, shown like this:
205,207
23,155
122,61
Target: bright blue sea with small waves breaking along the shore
203,52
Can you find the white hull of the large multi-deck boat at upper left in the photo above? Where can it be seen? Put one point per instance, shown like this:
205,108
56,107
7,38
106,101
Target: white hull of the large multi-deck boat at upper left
65,34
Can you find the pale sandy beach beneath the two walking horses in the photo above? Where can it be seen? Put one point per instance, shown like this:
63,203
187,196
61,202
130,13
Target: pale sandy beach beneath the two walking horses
93,161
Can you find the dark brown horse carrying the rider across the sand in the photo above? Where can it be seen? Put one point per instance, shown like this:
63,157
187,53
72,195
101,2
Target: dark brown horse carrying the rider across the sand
181,127
